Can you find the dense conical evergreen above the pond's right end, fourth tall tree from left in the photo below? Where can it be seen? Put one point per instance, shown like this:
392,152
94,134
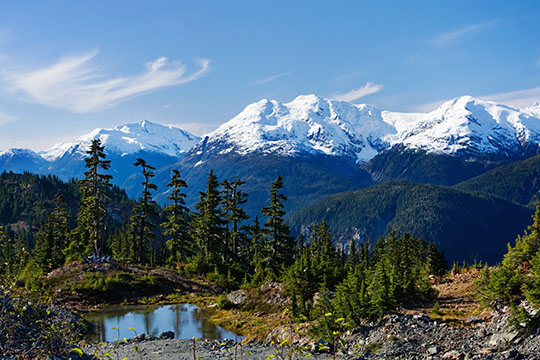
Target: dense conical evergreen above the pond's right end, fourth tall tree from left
207,225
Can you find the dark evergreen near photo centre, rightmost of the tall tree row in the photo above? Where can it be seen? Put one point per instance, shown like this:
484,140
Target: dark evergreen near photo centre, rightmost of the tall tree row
280,240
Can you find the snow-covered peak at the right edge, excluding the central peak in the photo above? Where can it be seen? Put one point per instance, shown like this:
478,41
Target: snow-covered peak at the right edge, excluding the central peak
468,126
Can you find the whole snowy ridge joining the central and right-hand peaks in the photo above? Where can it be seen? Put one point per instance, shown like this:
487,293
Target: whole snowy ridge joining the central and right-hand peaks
315,125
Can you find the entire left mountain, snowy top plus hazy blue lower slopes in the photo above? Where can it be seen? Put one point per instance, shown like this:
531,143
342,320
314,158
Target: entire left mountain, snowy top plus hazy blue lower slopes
160,145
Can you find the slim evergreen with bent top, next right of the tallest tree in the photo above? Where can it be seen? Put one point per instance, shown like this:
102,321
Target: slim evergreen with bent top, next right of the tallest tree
142,228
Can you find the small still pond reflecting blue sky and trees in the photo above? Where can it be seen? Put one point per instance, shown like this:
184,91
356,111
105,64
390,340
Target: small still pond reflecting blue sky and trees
186,320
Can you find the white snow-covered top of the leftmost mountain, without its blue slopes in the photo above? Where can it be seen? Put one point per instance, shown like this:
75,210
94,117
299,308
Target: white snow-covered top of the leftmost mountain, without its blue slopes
127,139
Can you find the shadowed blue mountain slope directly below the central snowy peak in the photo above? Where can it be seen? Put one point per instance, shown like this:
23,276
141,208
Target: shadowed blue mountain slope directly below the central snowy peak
306,179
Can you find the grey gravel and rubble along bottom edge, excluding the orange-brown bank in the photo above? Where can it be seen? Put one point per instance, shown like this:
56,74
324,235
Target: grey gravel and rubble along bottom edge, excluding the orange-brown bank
395,336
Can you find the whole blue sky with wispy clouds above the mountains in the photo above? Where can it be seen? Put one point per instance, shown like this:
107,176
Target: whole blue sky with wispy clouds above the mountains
67,67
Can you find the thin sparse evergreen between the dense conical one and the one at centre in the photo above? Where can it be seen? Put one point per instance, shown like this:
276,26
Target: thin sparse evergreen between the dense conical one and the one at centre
233,198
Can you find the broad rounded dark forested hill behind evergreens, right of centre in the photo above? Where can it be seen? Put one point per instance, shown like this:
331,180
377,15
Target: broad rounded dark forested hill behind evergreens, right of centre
464,226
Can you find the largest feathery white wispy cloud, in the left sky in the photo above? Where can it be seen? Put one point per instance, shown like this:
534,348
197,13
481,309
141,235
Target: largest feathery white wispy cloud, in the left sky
75,83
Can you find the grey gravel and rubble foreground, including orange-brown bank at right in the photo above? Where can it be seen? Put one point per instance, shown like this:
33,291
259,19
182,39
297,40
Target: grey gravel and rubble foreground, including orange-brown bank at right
461,329
